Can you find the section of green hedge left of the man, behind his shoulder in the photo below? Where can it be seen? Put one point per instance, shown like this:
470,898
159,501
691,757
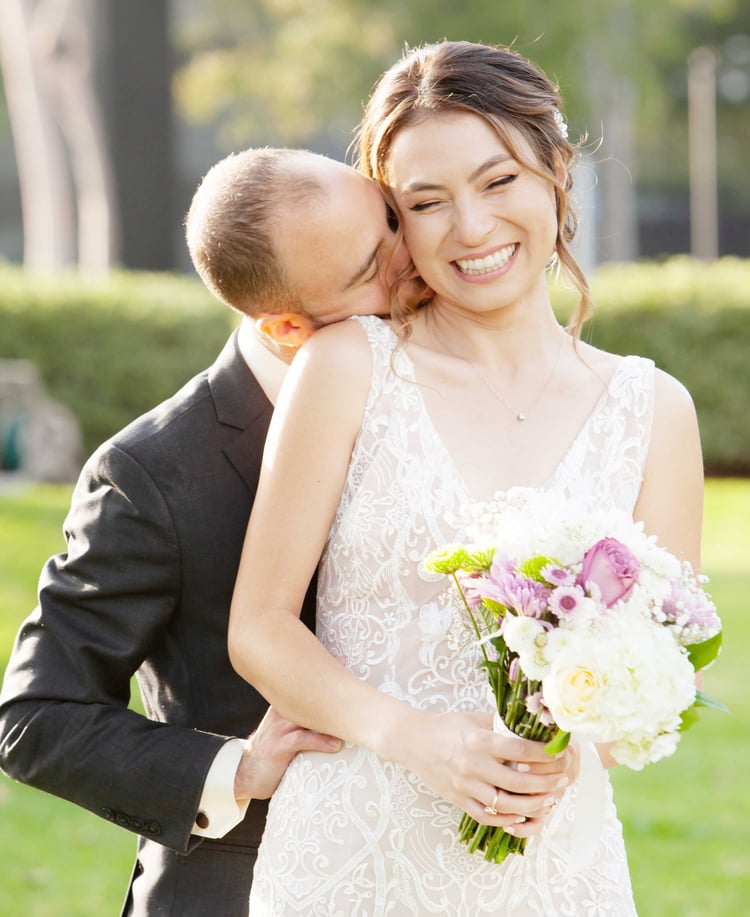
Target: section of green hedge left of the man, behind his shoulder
112,348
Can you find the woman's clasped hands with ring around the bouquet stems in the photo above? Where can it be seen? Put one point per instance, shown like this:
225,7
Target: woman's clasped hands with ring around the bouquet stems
461,759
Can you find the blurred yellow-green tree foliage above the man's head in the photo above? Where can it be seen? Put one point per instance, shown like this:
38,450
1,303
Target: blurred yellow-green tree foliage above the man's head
281,71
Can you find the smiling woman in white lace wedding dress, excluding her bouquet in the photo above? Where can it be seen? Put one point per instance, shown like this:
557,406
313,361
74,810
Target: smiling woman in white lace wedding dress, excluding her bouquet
384,432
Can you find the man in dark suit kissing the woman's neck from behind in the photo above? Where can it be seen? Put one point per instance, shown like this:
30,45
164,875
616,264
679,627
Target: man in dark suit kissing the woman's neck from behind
293,241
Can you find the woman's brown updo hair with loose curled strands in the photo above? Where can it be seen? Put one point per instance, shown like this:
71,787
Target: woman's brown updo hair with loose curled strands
503,88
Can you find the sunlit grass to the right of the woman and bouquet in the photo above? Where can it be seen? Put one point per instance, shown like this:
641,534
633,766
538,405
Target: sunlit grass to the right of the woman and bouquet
686,818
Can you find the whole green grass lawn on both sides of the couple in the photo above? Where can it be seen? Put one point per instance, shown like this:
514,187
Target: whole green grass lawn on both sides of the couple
685,819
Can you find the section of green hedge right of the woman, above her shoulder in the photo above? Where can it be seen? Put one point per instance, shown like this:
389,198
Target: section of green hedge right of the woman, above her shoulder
693,320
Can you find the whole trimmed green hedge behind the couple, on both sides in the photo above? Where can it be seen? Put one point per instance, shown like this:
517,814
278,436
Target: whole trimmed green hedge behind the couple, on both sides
111,349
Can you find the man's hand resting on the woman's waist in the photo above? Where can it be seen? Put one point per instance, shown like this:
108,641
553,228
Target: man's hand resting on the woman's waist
268,752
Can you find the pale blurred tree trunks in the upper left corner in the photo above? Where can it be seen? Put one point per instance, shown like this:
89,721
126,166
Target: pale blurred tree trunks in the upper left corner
63,159
